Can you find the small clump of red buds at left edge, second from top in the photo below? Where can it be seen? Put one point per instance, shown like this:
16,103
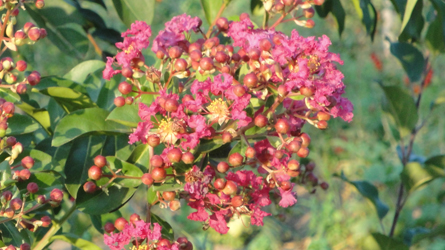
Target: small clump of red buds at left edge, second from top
10,73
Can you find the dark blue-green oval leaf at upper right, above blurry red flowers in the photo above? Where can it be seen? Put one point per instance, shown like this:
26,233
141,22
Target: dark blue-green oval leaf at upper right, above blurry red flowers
410,58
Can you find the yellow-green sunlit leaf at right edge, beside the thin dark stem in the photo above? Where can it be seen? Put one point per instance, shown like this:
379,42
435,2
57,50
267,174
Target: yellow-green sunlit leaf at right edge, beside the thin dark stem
414,175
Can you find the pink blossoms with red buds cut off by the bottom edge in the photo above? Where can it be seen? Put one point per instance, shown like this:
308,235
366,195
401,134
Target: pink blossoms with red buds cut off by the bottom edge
141,234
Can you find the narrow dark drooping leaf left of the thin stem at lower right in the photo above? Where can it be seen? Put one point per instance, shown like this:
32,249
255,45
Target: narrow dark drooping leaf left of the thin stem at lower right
369,191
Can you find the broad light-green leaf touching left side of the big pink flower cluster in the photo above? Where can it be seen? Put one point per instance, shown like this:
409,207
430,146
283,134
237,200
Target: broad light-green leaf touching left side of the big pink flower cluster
85,121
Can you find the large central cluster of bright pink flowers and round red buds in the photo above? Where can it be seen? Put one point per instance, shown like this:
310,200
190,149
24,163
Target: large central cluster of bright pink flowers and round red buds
283,84
